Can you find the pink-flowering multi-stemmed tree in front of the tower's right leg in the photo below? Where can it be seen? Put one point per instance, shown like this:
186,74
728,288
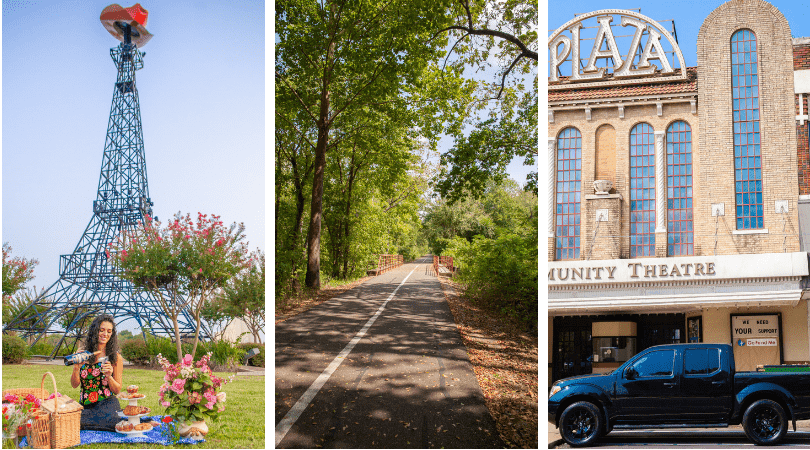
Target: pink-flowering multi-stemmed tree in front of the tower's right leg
181,265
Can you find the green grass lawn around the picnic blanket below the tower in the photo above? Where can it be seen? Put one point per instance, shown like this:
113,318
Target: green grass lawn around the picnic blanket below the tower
240,426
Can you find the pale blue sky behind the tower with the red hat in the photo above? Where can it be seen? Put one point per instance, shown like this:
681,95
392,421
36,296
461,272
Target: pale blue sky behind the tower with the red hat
202,96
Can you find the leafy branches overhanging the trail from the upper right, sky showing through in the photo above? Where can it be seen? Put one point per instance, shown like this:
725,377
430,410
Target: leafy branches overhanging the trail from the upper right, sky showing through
505,32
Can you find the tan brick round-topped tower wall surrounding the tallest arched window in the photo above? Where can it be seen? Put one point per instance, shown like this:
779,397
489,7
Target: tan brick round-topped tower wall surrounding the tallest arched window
777,125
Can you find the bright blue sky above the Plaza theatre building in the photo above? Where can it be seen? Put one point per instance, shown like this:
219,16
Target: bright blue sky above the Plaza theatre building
688,16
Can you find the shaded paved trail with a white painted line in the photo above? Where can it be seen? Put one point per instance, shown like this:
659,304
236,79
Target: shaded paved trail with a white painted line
374,370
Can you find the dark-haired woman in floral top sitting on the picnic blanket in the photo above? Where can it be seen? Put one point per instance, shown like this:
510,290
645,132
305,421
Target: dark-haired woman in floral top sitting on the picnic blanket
100,382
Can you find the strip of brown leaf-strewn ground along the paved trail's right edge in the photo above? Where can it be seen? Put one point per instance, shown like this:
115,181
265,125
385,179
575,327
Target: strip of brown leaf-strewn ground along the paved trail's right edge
505,362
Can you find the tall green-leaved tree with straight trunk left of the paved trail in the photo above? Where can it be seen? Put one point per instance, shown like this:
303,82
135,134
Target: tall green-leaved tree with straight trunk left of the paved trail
336,56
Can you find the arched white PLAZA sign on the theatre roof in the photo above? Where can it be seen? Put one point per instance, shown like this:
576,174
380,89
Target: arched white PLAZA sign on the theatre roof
562,48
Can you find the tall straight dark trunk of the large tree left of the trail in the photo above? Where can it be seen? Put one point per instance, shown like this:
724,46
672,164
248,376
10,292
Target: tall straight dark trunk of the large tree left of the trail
313,278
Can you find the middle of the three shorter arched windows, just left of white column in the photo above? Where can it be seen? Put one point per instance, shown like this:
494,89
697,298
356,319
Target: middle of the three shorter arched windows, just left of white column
642,191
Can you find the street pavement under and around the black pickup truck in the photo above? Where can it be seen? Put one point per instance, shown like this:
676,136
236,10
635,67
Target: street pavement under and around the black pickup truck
733,436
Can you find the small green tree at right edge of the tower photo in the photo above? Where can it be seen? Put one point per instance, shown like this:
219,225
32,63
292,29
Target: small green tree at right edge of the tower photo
245,295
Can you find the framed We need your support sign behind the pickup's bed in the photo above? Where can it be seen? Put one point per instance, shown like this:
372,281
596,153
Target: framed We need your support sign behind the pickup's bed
757,340
